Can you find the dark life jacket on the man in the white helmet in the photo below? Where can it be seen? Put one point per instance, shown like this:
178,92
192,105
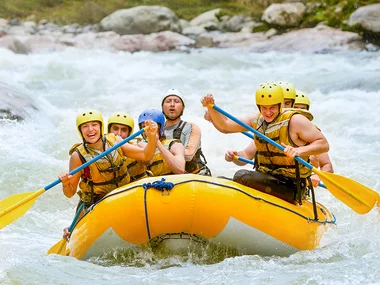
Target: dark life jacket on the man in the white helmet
198,162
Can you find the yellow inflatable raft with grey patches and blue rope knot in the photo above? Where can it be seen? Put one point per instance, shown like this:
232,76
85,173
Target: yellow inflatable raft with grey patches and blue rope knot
197,208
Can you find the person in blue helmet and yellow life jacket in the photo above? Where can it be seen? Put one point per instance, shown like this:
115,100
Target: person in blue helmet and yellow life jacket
169,157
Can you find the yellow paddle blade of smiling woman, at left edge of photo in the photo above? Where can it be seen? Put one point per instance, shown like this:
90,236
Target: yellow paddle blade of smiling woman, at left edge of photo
15,206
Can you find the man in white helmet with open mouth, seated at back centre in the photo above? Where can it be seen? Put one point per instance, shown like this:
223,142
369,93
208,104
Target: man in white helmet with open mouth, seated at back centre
189,133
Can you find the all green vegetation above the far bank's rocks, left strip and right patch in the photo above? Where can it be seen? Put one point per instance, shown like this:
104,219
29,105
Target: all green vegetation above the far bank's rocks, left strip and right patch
334,13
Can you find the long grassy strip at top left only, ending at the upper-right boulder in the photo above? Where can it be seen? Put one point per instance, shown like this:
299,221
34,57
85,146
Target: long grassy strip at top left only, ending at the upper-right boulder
92,11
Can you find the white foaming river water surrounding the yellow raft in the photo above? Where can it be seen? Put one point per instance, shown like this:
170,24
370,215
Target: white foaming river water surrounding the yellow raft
344,89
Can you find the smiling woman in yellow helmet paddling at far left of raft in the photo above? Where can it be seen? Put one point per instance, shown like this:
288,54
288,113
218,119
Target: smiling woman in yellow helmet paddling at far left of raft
110,171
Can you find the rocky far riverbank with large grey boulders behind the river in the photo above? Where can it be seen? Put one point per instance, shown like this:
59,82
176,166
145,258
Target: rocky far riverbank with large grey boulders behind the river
157,28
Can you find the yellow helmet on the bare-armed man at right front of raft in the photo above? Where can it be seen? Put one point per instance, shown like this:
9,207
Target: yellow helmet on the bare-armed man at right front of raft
269,93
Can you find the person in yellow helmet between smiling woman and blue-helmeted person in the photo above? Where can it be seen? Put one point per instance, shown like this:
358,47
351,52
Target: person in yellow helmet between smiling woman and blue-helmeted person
122,124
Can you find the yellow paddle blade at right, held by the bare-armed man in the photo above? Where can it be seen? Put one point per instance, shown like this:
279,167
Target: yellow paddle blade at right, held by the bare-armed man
355,195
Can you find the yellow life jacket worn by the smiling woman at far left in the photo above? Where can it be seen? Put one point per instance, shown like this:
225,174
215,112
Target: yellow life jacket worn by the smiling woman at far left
104,175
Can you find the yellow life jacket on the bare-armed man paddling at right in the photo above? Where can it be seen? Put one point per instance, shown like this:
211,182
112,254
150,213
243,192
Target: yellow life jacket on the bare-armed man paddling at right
272,160
